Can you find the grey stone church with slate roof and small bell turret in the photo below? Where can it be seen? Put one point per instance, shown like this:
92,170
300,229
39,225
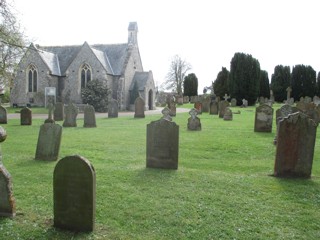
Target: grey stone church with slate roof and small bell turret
65,70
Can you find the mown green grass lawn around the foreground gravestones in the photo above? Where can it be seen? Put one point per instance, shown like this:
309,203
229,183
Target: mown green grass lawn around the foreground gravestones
221,190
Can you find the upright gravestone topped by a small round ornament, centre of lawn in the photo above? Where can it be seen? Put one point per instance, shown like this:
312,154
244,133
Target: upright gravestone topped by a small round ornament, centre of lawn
163,143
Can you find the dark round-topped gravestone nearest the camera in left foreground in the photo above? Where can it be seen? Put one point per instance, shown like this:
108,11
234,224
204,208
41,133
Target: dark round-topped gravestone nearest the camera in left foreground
74,194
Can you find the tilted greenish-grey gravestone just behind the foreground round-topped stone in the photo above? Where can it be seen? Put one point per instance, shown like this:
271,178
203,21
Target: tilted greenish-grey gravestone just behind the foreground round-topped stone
49,140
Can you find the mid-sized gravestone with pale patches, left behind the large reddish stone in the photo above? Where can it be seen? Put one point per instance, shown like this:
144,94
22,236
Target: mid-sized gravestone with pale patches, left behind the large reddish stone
263,118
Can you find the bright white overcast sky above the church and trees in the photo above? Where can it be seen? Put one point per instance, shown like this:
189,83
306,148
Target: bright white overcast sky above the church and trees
204,33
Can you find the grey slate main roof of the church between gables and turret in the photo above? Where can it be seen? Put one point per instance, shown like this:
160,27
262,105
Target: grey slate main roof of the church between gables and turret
58,58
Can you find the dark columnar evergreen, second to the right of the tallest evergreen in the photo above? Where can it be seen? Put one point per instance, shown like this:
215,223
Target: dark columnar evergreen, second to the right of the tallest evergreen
280,81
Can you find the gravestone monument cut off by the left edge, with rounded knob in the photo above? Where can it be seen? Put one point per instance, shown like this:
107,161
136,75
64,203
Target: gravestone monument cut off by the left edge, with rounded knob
7,201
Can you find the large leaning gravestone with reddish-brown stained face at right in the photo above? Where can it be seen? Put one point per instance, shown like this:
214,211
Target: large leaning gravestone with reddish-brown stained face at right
295,146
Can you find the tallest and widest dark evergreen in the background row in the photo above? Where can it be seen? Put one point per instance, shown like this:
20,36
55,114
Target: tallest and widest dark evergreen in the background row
244,78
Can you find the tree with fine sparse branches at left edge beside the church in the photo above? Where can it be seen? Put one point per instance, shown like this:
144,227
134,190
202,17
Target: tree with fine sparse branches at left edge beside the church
11,43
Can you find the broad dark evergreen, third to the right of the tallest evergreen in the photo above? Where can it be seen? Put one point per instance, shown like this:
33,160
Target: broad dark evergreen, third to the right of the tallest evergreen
303,82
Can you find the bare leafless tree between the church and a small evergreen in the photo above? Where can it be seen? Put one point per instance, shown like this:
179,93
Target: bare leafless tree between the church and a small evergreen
176,74
